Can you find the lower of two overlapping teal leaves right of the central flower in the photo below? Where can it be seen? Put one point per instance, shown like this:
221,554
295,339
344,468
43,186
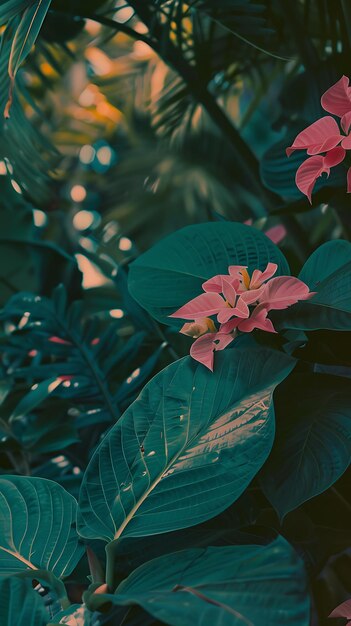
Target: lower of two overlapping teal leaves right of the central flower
329,309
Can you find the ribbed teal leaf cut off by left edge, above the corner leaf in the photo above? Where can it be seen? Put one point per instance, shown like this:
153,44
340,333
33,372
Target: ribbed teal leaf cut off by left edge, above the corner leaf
37,518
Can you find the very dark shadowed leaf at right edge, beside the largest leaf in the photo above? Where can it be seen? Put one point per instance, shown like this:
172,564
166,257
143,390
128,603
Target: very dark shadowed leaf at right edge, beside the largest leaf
312,447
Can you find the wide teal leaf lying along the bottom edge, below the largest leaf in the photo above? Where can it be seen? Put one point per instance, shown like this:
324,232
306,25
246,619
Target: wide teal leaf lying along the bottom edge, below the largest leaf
245,585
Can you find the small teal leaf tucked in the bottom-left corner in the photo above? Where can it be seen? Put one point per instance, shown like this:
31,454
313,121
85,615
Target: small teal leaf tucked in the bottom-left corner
20,605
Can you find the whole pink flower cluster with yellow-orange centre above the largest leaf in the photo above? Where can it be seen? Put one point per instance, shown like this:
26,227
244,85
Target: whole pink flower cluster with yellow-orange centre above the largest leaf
240,303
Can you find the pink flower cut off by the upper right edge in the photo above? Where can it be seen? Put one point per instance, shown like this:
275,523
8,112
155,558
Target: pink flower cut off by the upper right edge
324,136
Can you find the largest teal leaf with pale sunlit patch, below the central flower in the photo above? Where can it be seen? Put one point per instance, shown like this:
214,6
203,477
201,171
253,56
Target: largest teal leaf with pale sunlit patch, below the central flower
185,449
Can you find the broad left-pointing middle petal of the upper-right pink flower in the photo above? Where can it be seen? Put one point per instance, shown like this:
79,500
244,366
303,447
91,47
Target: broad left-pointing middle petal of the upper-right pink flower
320,136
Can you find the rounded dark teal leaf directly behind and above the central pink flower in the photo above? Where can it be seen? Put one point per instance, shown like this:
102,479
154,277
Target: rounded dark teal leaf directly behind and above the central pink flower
172,272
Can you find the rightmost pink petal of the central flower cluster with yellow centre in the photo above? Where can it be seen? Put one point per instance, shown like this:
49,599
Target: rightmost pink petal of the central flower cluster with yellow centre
283,291
